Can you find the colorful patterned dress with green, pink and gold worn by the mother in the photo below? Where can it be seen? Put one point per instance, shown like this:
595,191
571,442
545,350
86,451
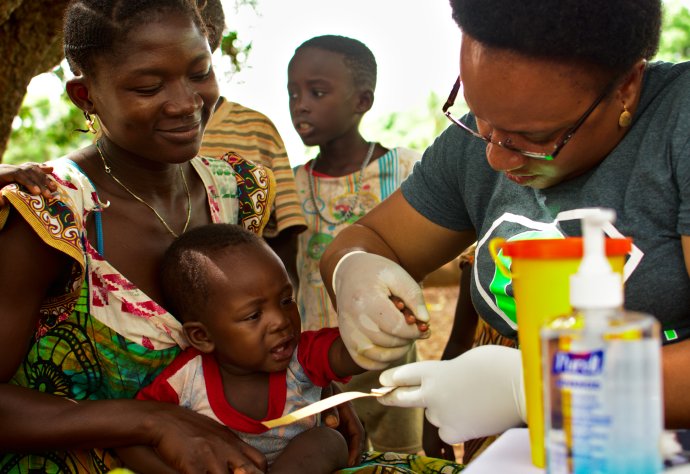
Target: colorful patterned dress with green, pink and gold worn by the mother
101,337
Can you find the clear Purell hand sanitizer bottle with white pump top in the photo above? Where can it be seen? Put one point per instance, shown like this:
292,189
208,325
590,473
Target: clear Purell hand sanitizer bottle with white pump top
602,373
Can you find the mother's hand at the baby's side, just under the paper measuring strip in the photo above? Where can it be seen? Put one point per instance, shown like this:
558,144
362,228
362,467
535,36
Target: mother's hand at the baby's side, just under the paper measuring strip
344,419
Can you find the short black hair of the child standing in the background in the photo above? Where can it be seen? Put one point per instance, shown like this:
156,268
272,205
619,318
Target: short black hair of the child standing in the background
358,57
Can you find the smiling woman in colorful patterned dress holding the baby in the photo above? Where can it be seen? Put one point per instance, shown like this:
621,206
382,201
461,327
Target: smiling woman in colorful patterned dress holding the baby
83,323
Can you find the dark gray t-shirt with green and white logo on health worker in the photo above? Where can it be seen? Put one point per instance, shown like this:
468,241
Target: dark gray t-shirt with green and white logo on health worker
646,179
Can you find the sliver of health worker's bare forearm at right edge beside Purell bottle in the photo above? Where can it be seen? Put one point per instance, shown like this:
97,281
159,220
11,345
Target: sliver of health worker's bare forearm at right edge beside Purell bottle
675,358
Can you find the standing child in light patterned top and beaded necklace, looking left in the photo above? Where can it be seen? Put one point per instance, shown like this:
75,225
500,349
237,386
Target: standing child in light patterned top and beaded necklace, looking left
331,82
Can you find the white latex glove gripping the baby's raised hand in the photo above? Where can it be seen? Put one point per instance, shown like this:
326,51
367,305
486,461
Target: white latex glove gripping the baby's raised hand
373,329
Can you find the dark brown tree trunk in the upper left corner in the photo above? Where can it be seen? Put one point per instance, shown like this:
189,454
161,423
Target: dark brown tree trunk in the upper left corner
30,43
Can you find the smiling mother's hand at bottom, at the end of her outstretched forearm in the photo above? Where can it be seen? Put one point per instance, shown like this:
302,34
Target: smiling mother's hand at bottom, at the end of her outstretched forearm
193,443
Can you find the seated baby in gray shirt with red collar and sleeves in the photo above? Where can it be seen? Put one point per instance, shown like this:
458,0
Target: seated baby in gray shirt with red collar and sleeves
248,361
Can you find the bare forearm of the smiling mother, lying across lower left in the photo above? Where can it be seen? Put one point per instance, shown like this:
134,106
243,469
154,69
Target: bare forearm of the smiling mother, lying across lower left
32,420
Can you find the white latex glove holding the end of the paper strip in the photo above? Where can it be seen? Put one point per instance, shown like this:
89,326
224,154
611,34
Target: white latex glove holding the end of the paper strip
479,393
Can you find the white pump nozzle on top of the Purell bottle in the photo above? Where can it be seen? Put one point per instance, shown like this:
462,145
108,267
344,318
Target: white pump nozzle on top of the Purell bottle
595,285
